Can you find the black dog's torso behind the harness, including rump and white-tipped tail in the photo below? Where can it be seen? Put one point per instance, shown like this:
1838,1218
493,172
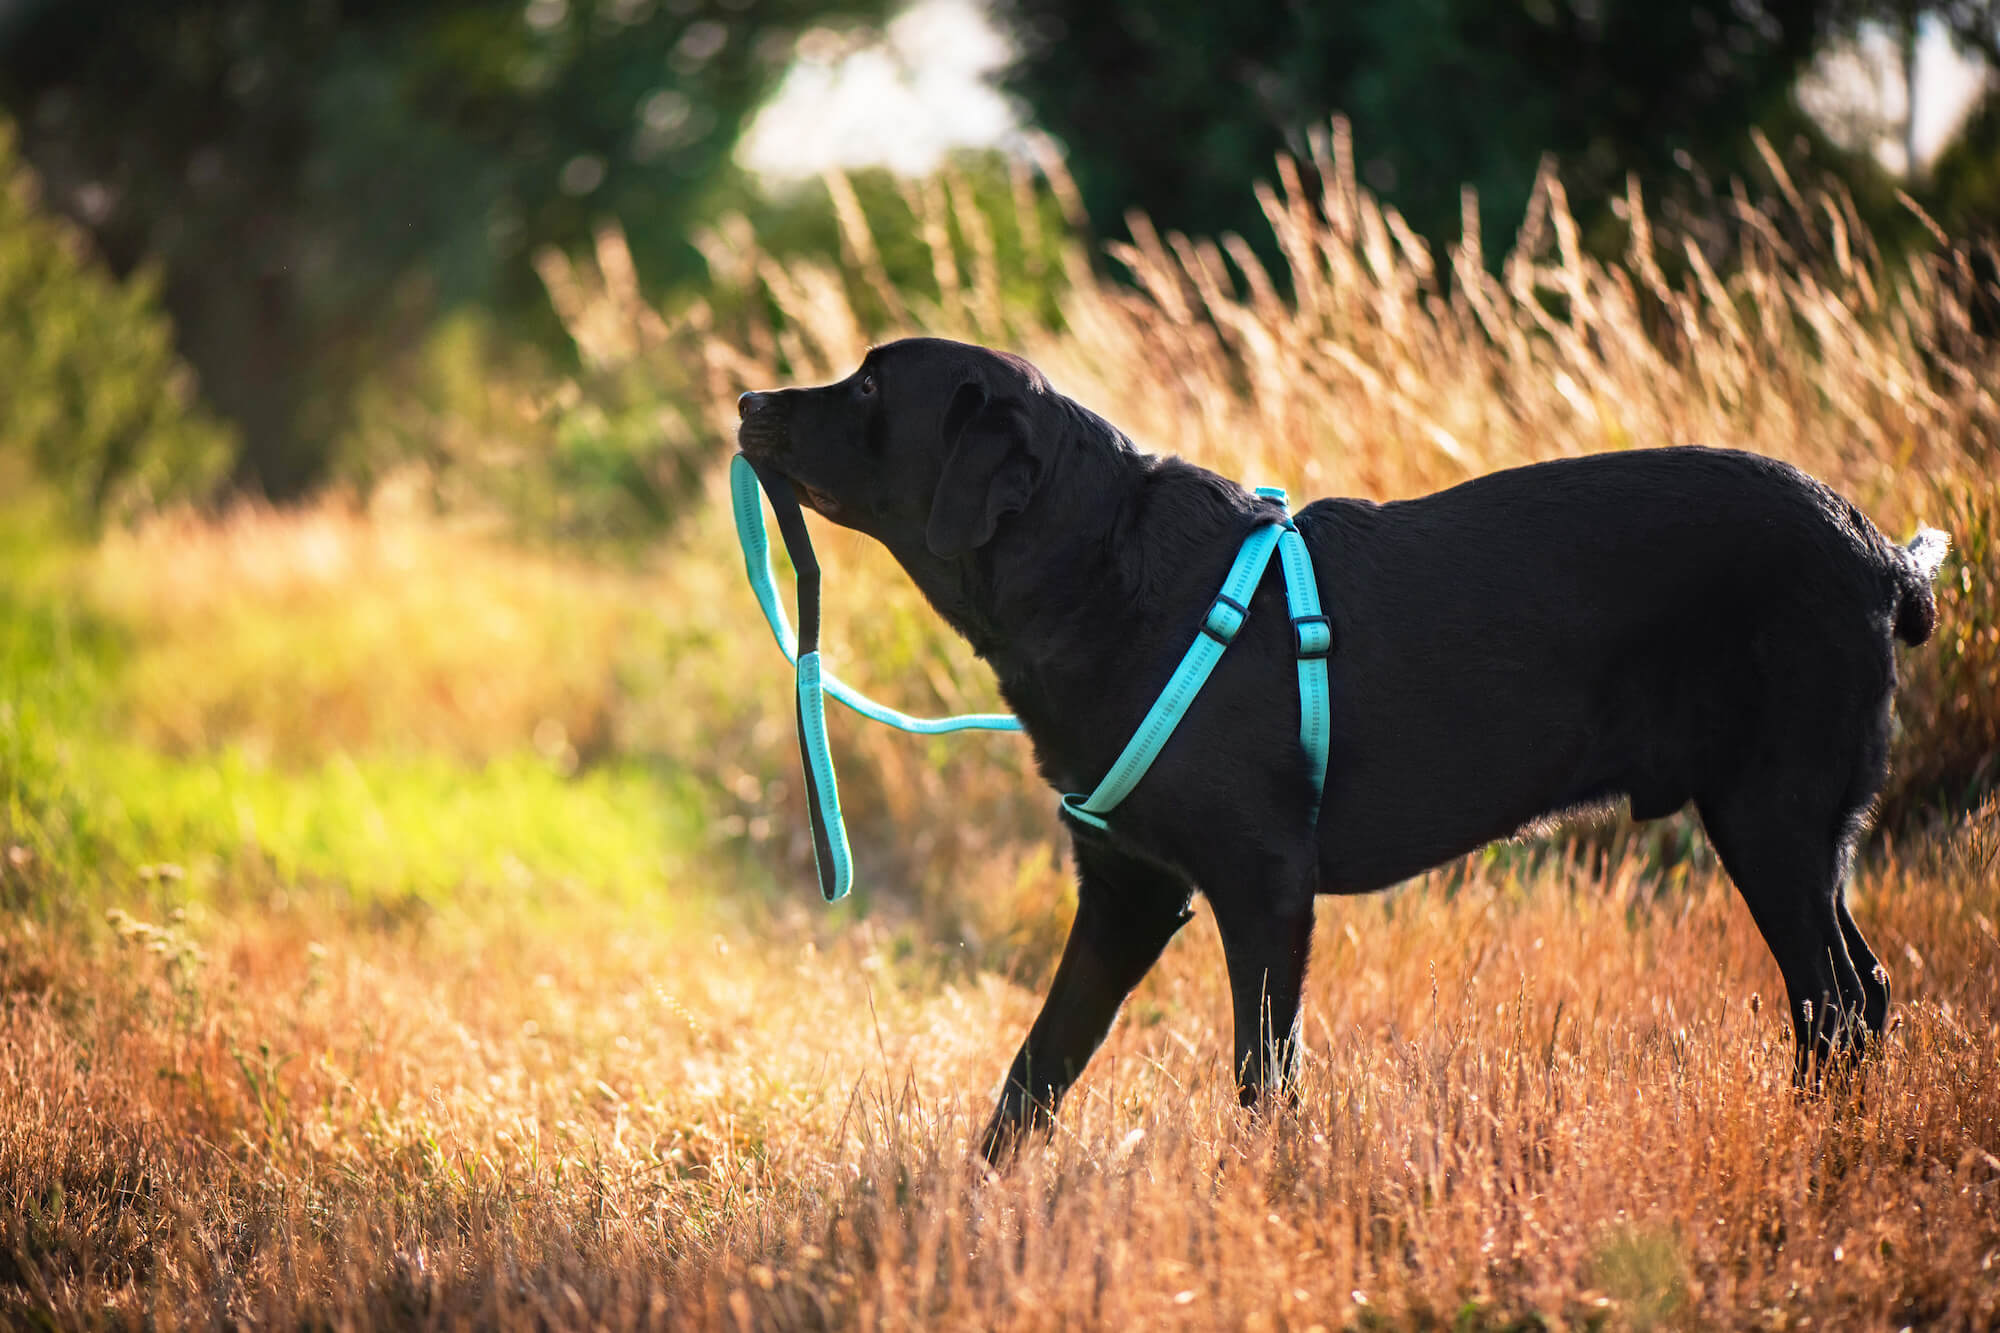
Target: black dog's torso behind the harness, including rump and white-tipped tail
1625,625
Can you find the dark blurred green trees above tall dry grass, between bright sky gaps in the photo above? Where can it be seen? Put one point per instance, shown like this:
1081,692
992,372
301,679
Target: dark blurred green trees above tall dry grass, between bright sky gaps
1175,107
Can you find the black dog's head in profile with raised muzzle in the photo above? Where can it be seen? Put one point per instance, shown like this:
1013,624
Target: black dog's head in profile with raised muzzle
927,445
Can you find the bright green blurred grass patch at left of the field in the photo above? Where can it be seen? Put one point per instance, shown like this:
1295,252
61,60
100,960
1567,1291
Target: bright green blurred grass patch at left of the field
89,816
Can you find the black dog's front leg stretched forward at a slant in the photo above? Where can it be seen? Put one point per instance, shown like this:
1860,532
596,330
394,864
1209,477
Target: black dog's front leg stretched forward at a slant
1127,912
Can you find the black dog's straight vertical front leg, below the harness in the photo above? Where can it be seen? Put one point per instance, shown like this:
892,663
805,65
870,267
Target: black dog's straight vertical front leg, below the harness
1267,946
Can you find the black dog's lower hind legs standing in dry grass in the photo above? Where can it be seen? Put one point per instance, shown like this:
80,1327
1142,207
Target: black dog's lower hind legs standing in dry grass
1787,856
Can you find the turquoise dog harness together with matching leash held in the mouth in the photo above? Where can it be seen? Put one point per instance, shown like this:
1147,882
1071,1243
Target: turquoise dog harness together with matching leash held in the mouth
1313,641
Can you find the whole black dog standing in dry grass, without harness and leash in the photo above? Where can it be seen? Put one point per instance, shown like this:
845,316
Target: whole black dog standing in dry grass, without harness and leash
1661,625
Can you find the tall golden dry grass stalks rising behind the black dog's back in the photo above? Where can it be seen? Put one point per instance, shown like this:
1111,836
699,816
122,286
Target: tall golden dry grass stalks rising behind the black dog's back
1375,367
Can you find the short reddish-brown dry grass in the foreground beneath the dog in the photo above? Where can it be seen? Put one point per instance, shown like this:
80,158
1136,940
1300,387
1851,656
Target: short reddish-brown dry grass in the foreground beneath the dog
1529,1098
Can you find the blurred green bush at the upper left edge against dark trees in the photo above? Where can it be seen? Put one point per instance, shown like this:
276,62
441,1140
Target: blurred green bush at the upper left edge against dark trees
93,397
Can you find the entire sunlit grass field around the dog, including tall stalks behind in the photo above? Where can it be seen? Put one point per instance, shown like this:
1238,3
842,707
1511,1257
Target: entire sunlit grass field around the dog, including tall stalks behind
411,930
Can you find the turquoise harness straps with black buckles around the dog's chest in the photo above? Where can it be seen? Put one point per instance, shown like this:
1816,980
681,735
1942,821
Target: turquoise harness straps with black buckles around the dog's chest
1313,639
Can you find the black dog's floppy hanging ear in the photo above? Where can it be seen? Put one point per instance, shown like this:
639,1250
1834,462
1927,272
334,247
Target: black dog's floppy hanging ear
989,473
